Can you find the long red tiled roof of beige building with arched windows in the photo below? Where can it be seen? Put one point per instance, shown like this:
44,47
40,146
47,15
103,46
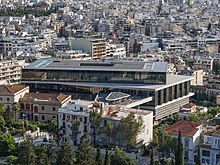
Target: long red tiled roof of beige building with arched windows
29,97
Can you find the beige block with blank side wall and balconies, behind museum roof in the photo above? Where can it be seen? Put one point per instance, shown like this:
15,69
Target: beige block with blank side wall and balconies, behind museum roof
96,47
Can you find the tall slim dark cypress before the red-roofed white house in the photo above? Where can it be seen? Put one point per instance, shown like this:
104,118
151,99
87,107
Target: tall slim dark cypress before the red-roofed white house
179,151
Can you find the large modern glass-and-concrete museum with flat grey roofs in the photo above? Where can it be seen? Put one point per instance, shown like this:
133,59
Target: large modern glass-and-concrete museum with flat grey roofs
148,84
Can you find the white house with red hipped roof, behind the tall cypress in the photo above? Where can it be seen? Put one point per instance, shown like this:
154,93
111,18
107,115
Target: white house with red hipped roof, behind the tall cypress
190,132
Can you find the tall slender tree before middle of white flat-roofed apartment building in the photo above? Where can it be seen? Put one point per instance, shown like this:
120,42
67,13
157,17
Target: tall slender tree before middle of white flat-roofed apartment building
95,118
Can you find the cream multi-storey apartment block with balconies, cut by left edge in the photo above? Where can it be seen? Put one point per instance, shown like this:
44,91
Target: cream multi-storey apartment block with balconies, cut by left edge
10,71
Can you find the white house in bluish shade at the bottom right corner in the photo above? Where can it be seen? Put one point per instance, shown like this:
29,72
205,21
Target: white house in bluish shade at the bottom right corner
210,148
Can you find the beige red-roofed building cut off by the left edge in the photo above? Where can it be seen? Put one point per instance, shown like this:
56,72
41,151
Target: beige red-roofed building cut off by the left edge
12,93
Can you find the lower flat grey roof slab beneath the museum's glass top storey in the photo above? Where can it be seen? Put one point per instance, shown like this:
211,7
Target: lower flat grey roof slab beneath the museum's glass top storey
171,81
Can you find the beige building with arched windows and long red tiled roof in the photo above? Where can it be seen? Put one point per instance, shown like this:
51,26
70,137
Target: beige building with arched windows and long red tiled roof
42,106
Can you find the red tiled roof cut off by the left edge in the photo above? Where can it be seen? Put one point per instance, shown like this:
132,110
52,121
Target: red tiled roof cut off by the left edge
11,89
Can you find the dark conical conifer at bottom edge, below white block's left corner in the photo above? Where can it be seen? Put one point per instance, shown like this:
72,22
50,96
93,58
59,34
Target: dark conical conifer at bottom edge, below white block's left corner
65,155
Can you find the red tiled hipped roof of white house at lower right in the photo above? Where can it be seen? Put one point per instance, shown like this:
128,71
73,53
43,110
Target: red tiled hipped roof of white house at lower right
186,128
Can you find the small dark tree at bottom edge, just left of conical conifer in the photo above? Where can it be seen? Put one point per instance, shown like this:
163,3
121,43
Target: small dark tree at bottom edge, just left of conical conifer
42,156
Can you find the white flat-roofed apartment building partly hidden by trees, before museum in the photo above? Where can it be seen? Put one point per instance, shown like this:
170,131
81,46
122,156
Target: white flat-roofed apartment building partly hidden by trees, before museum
79,111
